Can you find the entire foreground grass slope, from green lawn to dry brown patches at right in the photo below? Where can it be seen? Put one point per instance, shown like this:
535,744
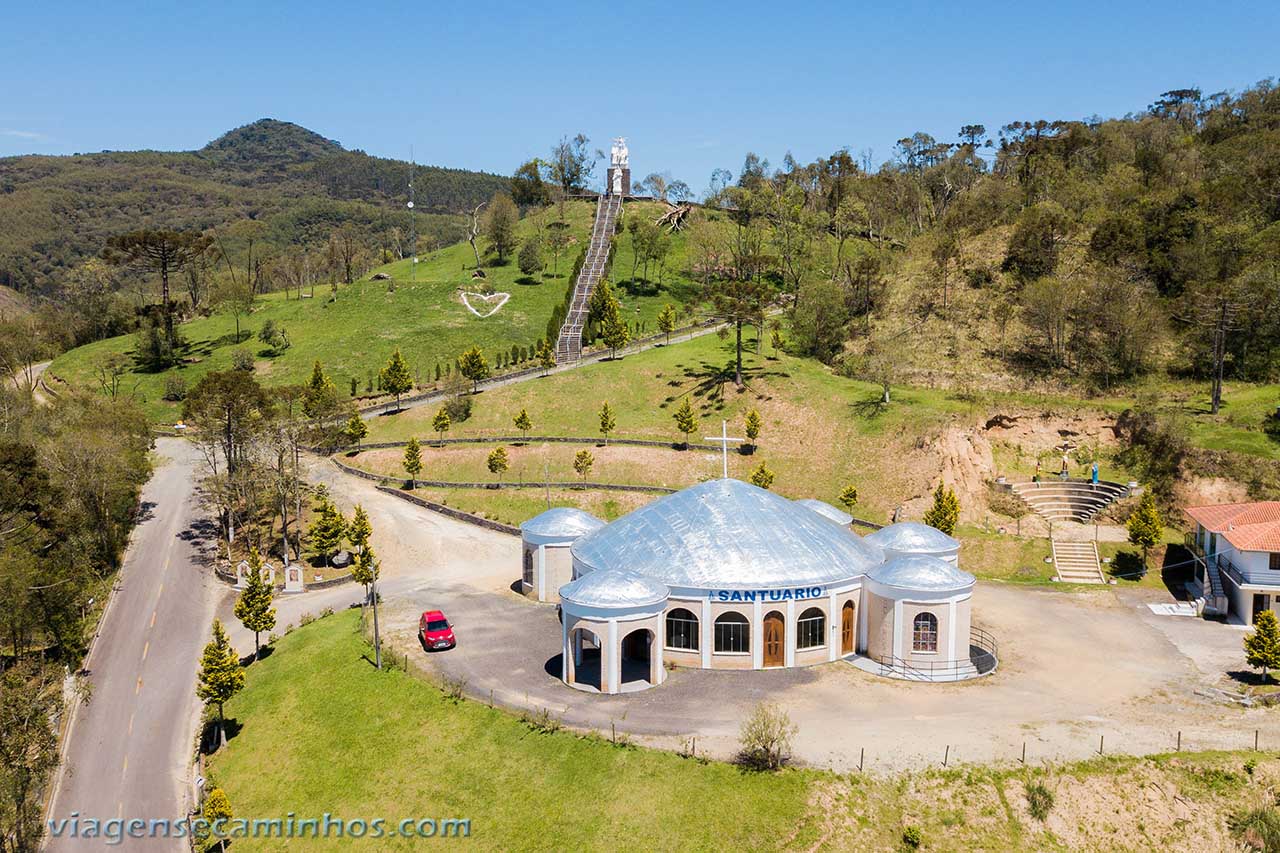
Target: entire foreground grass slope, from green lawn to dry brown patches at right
321,731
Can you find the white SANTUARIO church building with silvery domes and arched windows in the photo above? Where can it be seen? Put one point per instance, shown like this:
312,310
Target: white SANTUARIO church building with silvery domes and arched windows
728,576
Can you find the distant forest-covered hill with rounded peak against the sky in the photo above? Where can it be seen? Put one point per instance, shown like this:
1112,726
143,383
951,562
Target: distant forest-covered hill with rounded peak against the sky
58,211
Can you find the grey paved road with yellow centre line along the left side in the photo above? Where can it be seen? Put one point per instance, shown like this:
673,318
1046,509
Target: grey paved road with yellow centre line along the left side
129,750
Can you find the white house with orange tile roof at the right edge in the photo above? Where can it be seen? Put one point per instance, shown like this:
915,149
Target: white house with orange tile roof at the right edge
1237,550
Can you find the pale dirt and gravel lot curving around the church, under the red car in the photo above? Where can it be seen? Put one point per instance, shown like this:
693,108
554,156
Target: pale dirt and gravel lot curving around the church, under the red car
1075,667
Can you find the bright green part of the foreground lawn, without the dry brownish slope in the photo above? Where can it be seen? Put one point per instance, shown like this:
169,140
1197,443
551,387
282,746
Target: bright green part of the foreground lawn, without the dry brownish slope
346,740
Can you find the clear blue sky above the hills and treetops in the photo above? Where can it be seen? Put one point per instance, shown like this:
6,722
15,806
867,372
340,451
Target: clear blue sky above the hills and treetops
692,86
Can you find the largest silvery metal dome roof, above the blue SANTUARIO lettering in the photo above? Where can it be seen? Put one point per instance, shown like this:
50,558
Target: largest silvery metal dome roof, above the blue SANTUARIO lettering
728,535
